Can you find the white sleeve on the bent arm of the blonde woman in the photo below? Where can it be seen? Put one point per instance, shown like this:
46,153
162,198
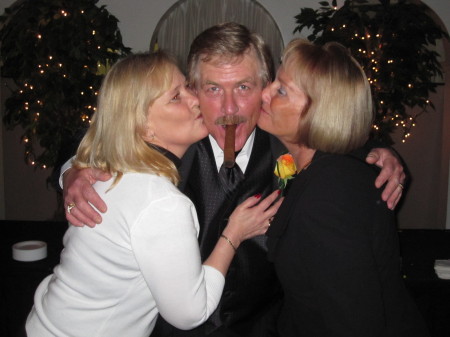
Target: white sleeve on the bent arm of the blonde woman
164,241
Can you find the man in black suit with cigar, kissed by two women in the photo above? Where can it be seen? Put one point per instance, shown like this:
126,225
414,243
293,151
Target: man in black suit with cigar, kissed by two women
228,67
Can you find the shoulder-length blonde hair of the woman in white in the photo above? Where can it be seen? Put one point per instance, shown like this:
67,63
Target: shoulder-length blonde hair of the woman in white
114,140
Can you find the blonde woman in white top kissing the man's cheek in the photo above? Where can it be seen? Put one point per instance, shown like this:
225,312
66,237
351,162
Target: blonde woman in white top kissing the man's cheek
143,259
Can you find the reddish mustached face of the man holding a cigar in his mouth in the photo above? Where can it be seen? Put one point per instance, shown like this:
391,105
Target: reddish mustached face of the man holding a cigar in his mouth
232,88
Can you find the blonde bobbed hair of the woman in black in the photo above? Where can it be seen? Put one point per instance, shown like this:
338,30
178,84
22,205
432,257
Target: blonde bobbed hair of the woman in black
339,112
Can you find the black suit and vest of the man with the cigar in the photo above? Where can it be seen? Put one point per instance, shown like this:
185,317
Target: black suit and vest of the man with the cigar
251,287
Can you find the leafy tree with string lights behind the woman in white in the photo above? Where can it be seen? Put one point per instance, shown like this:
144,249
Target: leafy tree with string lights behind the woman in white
57,52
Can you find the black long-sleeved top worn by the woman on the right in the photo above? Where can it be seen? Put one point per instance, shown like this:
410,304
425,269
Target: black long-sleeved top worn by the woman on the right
334,244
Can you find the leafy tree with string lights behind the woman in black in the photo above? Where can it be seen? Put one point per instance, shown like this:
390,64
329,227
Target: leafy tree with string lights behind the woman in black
392,43
